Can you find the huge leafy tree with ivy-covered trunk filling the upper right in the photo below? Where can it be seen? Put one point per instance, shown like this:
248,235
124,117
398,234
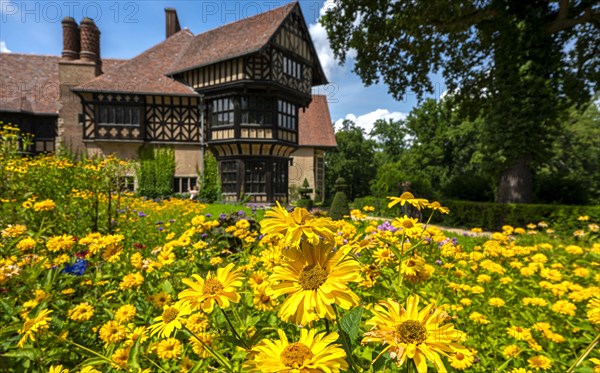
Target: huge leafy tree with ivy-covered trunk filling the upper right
518,64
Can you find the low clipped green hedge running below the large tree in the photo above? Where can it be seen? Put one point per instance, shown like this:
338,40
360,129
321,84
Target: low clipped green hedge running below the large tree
492,216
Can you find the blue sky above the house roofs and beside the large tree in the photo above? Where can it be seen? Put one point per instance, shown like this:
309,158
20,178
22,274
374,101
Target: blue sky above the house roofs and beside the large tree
130,27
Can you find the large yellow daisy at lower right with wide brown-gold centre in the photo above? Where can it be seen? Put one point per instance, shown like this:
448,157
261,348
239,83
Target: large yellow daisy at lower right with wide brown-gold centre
410,334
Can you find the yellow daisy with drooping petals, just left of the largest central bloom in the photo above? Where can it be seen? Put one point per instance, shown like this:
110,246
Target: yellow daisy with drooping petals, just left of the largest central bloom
220,288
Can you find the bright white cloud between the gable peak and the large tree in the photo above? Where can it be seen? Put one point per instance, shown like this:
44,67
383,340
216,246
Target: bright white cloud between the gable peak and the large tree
321,41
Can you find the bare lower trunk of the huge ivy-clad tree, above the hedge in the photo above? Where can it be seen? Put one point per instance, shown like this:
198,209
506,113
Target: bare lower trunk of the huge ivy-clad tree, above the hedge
516,183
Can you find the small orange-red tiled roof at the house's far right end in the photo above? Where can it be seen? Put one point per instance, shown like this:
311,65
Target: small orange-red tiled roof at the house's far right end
314,124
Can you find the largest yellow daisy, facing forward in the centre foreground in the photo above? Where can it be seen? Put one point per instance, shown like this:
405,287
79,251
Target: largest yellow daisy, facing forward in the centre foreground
314,283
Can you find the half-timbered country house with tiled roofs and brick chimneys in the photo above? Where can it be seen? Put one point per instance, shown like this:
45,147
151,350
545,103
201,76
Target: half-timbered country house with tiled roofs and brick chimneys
241,91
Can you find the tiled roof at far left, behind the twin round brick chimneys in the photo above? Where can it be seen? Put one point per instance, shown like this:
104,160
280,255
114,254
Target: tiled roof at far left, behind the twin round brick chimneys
29,82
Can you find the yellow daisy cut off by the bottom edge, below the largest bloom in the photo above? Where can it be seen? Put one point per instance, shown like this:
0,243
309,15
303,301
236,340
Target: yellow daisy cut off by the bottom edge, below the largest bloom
312,353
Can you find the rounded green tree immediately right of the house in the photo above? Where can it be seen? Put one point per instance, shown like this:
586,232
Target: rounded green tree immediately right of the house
353,159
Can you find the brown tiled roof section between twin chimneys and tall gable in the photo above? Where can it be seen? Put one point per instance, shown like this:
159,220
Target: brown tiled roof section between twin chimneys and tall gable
145,73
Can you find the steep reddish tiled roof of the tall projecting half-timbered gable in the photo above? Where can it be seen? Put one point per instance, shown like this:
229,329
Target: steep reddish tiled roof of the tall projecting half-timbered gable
232,40
